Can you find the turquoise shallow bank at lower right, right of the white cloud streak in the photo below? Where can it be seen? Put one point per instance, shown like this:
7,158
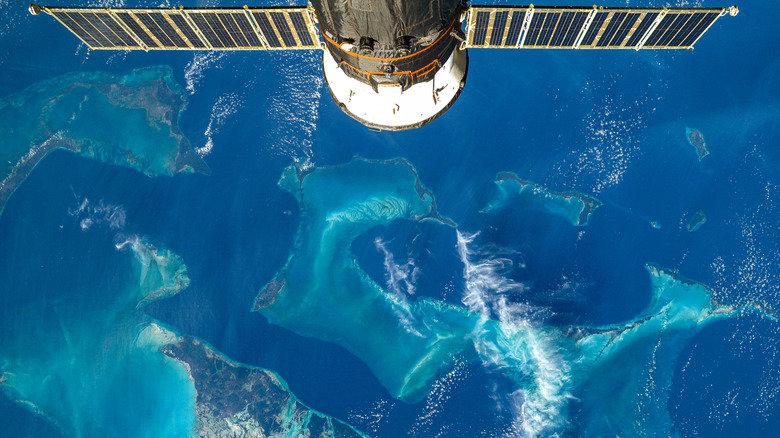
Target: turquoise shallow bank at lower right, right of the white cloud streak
625,370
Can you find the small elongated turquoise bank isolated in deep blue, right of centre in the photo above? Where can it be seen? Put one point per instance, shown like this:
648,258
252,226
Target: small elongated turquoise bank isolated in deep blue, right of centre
575,207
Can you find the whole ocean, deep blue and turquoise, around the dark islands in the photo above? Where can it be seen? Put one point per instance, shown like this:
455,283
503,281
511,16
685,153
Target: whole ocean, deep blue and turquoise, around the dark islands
525,322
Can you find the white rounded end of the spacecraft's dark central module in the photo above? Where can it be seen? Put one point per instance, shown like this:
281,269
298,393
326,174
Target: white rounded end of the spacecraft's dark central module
389,107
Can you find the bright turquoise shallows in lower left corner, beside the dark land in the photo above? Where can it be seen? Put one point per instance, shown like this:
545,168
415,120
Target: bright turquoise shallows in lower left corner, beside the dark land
54,353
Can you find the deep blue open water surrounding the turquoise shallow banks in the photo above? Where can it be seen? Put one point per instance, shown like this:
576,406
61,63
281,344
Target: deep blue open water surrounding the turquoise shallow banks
608,124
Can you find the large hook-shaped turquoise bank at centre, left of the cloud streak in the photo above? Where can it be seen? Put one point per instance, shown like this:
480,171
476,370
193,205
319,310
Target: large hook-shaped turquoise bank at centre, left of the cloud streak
321,292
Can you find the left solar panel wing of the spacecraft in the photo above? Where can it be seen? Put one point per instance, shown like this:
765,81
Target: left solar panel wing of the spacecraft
191,28
